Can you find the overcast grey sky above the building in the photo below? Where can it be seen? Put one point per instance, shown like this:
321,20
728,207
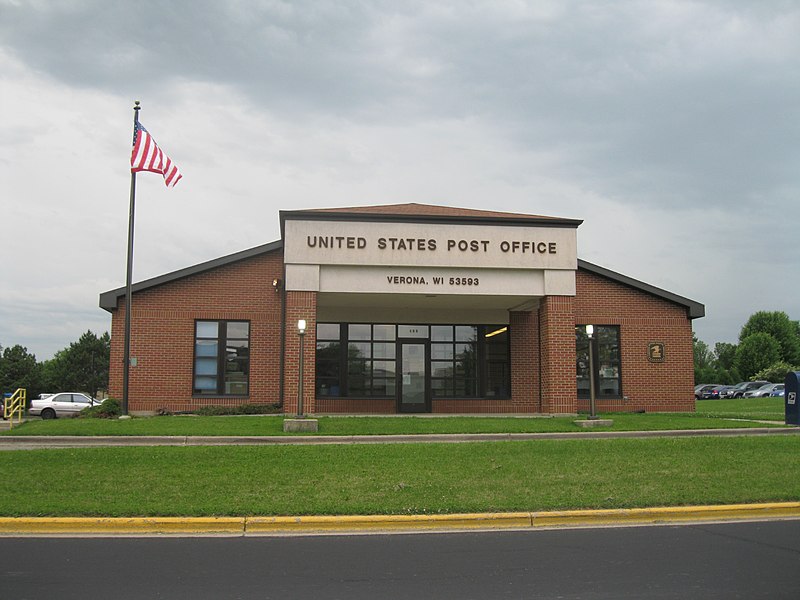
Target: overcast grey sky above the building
671,127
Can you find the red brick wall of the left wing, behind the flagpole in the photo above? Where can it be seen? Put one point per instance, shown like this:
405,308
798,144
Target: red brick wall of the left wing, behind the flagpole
162,334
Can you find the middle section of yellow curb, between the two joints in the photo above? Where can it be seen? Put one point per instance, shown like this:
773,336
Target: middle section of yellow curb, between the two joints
387,522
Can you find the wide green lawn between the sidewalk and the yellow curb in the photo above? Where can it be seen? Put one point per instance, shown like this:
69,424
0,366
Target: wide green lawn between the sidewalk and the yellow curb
399,478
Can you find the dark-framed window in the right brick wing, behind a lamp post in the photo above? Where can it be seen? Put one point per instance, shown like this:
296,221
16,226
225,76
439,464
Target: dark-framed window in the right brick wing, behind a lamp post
606,358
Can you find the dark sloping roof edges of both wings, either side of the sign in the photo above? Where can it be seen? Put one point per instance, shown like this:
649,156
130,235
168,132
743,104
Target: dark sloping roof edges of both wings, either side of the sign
110,299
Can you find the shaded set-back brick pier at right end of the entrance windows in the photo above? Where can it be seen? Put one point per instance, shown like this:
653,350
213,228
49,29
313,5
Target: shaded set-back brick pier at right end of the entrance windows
524,338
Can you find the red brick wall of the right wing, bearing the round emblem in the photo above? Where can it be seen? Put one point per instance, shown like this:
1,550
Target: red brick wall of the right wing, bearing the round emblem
642,318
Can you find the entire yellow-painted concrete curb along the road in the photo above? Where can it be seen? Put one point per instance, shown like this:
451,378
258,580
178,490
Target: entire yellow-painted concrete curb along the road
252,526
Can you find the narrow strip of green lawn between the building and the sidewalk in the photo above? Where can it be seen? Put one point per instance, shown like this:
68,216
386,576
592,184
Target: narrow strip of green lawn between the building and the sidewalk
710,414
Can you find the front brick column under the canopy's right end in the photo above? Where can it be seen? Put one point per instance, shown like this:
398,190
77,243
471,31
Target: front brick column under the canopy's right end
557,323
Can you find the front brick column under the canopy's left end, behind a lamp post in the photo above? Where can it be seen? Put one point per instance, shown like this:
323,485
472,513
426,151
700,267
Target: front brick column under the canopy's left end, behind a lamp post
300,305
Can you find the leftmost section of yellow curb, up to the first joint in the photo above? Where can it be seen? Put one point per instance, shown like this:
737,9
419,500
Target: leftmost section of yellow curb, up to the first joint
121,525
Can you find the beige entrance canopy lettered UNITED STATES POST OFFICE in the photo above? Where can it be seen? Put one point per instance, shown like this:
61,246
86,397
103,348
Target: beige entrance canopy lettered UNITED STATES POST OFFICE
429,258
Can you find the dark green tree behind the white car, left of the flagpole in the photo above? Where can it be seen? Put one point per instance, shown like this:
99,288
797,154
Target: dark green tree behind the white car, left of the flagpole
82,367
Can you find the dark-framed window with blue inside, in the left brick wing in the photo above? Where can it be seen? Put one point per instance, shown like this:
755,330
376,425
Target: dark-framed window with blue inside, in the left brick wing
222,358
